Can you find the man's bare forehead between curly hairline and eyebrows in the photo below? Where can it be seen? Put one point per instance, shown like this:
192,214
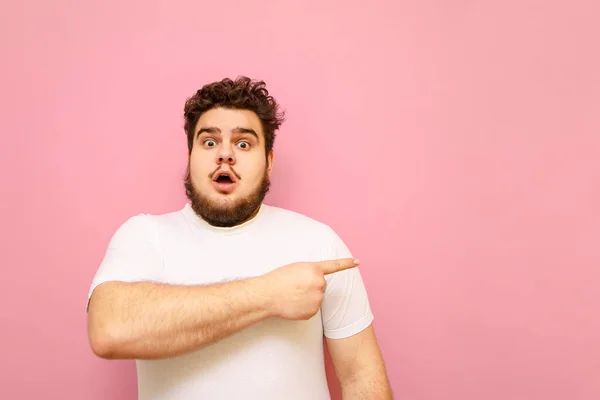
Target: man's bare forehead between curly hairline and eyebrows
227,119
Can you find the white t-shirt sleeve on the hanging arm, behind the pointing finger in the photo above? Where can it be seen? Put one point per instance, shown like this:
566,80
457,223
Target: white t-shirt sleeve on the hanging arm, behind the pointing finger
345,309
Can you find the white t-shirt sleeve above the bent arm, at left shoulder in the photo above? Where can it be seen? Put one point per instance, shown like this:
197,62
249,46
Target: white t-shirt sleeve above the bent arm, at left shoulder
133,254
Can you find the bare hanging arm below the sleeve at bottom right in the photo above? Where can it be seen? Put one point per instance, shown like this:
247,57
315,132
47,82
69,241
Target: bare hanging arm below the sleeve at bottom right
359,366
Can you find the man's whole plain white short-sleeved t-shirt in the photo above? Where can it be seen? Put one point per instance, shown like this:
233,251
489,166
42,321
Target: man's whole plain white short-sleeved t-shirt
272,359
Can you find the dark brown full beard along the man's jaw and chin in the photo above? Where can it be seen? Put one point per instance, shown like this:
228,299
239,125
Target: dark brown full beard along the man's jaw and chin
226,213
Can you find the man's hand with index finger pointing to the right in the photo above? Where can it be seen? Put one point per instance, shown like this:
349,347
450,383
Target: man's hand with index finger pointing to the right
295,291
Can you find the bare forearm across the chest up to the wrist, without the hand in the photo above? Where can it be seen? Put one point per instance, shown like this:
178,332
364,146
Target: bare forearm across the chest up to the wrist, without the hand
145,320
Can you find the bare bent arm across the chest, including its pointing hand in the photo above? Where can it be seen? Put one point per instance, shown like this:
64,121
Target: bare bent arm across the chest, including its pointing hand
144,320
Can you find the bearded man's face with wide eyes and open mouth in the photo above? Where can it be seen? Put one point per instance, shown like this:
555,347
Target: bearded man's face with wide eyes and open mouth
228,171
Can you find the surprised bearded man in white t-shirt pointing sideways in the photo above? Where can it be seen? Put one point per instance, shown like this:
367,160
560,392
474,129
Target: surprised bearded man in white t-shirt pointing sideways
229,298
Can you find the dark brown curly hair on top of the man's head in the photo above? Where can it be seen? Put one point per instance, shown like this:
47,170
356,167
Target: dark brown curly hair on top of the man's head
243,94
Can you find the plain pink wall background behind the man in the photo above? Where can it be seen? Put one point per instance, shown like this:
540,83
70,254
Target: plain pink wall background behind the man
454,145
